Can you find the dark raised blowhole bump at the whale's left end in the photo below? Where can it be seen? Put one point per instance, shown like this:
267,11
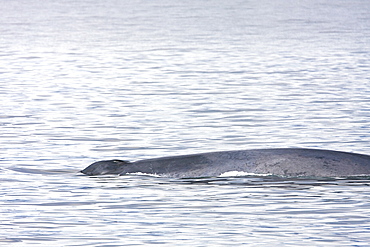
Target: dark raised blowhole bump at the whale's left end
106,167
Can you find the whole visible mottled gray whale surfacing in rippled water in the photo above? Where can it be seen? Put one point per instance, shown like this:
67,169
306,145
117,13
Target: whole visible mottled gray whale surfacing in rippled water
282,162
